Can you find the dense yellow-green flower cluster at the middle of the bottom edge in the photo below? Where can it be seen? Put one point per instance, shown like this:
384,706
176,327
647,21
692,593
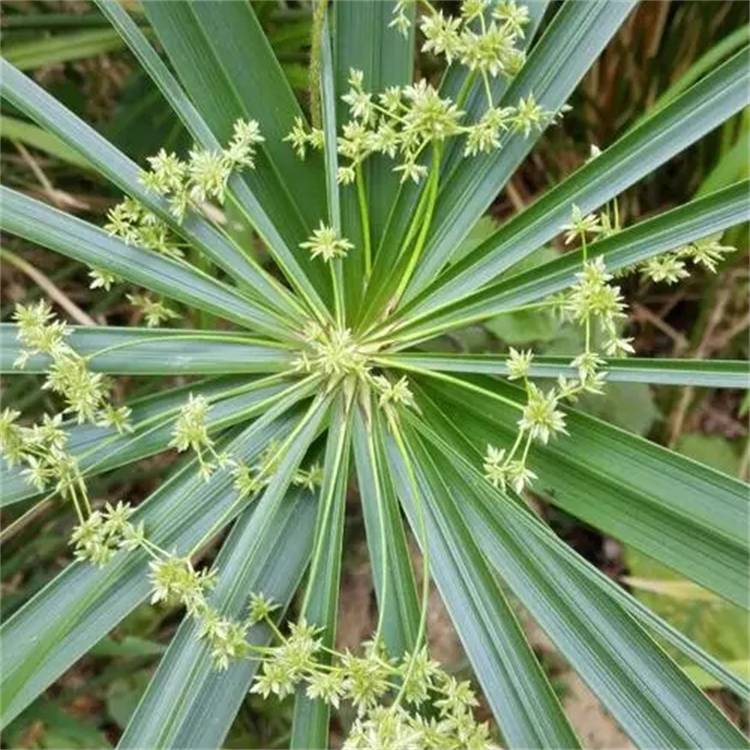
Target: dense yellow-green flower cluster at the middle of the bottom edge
400,703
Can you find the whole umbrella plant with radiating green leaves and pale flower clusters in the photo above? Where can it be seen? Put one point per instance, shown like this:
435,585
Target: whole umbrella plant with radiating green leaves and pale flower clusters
313,379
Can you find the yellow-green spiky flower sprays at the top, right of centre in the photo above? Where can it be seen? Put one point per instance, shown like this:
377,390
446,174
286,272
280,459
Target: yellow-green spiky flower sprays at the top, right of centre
402,122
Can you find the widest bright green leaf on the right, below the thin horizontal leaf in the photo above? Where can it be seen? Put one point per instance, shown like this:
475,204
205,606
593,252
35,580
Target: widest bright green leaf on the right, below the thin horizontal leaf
687,516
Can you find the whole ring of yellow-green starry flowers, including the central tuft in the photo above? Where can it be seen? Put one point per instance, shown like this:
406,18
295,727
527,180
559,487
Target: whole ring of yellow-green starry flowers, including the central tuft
400,700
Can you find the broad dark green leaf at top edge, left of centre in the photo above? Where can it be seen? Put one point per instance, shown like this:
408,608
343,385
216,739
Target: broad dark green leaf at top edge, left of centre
228,69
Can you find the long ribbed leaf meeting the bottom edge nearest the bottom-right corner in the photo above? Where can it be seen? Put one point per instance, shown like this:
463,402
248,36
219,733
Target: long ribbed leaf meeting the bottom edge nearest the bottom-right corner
644,690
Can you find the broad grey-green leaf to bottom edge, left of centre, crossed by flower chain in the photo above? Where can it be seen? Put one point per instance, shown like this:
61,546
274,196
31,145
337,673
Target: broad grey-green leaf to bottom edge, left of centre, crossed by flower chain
188,703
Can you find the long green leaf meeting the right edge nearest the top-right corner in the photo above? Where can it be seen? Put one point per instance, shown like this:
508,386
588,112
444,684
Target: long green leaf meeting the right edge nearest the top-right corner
640,151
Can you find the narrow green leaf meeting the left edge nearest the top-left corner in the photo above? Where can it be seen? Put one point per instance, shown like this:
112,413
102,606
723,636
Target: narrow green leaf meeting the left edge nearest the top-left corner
46,111
